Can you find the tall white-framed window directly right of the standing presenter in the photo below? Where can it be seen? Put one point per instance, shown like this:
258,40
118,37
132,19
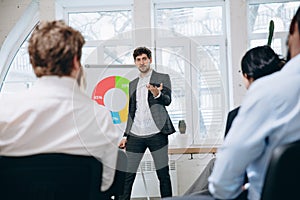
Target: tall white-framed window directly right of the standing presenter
191,47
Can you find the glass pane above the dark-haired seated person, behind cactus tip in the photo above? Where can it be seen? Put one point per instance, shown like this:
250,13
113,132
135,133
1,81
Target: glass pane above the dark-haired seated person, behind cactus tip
260,16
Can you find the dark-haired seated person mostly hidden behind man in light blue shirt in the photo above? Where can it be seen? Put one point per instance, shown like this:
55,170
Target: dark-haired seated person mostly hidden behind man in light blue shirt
256,63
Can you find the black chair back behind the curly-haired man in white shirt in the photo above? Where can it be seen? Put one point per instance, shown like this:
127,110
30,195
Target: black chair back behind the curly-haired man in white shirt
50,177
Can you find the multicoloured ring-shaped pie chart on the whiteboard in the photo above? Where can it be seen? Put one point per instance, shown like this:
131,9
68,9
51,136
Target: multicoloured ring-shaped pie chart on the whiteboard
112,92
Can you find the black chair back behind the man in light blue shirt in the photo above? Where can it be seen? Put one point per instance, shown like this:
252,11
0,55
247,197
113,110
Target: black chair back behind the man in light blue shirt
283,174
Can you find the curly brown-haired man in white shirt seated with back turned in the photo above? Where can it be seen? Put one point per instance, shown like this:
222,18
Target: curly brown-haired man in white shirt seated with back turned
54,116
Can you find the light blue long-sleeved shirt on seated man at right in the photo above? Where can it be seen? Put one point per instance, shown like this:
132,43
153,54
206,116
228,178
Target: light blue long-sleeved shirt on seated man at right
268,117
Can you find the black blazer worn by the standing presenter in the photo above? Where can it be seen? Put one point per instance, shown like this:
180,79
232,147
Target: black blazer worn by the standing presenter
157,106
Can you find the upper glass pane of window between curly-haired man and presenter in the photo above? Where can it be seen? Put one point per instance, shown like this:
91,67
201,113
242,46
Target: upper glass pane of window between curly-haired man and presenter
102,25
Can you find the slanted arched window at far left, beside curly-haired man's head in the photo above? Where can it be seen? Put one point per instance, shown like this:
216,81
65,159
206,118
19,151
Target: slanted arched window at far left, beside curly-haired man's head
18,74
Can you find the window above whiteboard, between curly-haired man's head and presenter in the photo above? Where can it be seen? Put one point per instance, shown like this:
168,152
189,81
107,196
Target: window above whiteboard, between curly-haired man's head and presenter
109,45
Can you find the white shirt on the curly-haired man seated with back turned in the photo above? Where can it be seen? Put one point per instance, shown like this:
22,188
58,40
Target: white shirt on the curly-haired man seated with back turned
54,116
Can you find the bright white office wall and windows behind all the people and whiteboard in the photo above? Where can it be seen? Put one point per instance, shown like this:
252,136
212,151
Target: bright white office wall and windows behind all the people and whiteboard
199,43
